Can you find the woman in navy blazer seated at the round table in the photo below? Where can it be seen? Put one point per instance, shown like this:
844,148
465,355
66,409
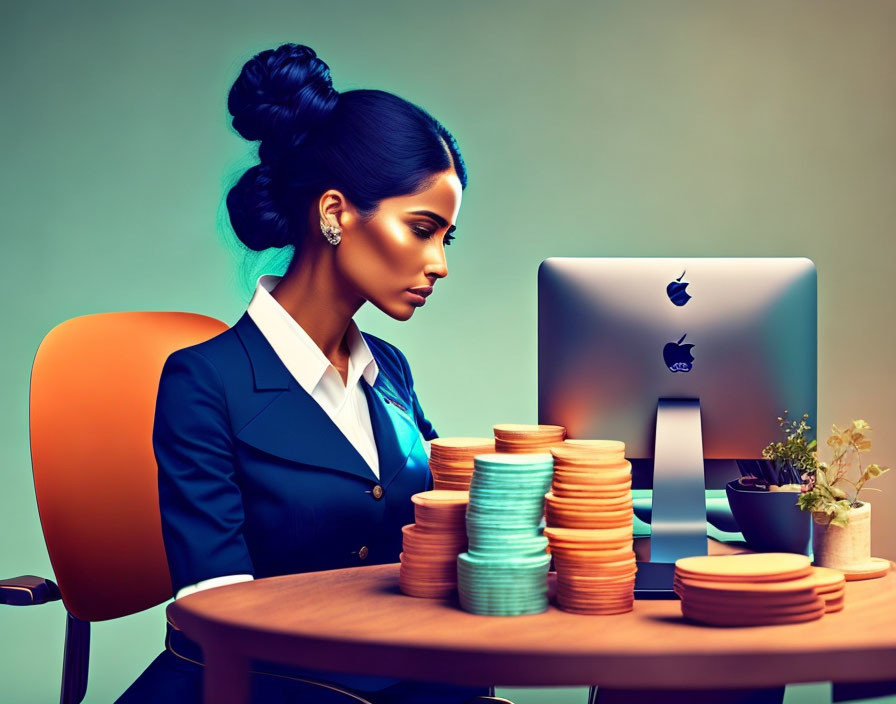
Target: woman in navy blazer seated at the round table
292,442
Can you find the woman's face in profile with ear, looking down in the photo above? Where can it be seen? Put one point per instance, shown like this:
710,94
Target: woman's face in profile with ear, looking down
395,258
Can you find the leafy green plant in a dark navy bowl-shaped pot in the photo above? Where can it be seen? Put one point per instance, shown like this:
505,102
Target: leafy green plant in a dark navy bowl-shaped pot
763,502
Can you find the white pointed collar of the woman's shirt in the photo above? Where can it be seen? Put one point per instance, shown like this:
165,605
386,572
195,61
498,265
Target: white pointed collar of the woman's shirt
301,355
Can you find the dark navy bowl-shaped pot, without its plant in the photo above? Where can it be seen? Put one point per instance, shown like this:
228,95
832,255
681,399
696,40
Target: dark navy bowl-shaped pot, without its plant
770,520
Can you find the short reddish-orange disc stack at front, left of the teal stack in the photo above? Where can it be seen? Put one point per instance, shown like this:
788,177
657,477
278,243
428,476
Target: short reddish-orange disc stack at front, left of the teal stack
432,543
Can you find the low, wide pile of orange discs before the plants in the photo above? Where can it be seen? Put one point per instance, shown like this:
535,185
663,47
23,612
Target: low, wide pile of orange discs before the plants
756,589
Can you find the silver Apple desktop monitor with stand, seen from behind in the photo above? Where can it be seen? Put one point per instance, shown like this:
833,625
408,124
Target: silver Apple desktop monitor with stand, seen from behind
689,361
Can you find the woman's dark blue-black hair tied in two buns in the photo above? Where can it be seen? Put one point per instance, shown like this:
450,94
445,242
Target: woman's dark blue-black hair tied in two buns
369,144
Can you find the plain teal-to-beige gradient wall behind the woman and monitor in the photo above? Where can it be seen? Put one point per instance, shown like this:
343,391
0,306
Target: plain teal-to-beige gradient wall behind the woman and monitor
653,128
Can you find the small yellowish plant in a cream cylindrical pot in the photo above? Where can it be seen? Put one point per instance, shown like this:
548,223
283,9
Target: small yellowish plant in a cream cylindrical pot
842,535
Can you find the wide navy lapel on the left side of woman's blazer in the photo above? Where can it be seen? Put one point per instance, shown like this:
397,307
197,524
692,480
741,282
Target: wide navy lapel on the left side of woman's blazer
292,425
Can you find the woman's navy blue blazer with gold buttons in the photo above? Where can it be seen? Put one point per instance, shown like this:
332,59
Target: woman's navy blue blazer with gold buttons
255,478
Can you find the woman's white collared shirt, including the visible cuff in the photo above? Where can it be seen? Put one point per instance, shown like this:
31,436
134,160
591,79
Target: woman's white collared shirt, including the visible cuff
344,403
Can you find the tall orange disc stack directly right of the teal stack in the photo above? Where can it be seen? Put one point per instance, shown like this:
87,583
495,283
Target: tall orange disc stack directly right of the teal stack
589,526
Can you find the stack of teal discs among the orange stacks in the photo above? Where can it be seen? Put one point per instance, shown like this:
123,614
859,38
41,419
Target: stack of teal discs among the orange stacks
504,571
